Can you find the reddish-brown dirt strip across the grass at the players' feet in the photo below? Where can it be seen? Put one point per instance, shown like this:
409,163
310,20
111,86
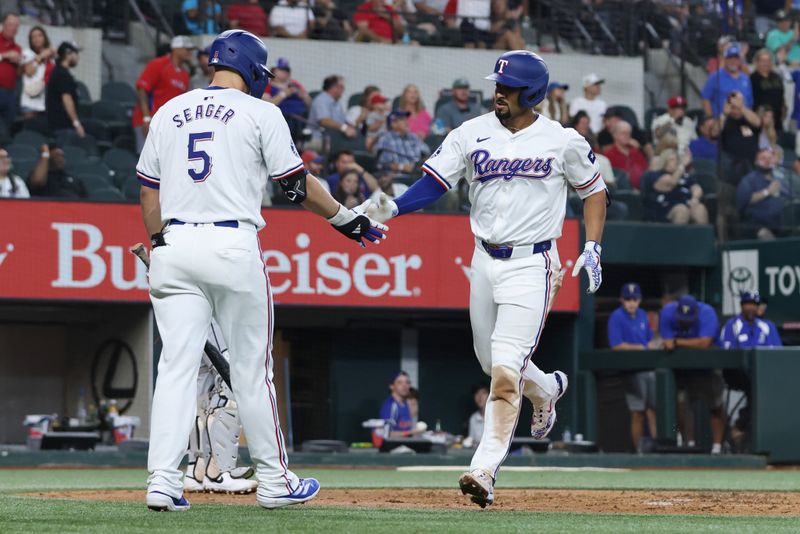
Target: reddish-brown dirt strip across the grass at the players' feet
729,503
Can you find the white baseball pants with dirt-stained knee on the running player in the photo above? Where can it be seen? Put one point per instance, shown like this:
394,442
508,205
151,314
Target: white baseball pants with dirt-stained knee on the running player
509,301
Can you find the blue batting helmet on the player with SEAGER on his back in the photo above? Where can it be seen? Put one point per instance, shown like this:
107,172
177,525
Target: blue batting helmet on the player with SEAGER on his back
246,54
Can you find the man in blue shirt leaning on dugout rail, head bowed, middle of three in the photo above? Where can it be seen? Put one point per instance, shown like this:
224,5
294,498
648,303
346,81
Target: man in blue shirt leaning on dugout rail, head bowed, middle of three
688,323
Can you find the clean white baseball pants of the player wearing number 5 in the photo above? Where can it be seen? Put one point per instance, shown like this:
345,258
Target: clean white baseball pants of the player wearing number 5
207,271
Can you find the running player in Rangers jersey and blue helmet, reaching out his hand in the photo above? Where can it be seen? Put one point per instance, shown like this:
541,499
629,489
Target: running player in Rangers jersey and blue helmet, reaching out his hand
518,165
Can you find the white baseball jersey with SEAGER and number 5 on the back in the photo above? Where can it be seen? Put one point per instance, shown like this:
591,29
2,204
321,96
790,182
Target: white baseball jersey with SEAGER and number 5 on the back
210,151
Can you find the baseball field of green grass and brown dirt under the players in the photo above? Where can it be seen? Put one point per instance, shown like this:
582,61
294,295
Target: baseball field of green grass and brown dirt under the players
397,500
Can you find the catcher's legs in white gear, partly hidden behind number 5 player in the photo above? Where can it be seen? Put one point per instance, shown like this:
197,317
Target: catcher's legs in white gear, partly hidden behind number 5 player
214,439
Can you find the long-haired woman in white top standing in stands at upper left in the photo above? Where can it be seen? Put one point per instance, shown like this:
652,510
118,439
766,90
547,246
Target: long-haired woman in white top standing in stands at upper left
37,64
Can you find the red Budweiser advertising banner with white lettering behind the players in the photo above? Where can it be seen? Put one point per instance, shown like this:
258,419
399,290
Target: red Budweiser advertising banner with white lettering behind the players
79,251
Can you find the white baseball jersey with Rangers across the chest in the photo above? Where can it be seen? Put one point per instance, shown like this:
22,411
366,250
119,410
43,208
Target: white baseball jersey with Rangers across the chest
517,181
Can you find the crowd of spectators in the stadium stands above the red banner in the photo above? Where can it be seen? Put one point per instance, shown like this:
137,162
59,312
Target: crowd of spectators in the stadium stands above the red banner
732,163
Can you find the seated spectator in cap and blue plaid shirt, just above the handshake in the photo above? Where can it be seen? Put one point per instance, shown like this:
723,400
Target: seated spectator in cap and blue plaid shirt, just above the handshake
398,149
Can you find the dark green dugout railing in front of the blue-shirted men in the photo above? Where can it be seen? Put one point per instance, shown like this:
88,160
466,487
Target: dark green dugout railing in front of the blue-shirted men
774,391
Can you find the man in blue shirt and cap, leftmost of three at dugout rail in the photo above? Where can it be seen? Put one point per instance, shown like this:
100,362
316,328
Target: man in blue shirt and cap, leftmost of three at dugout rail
629,329
